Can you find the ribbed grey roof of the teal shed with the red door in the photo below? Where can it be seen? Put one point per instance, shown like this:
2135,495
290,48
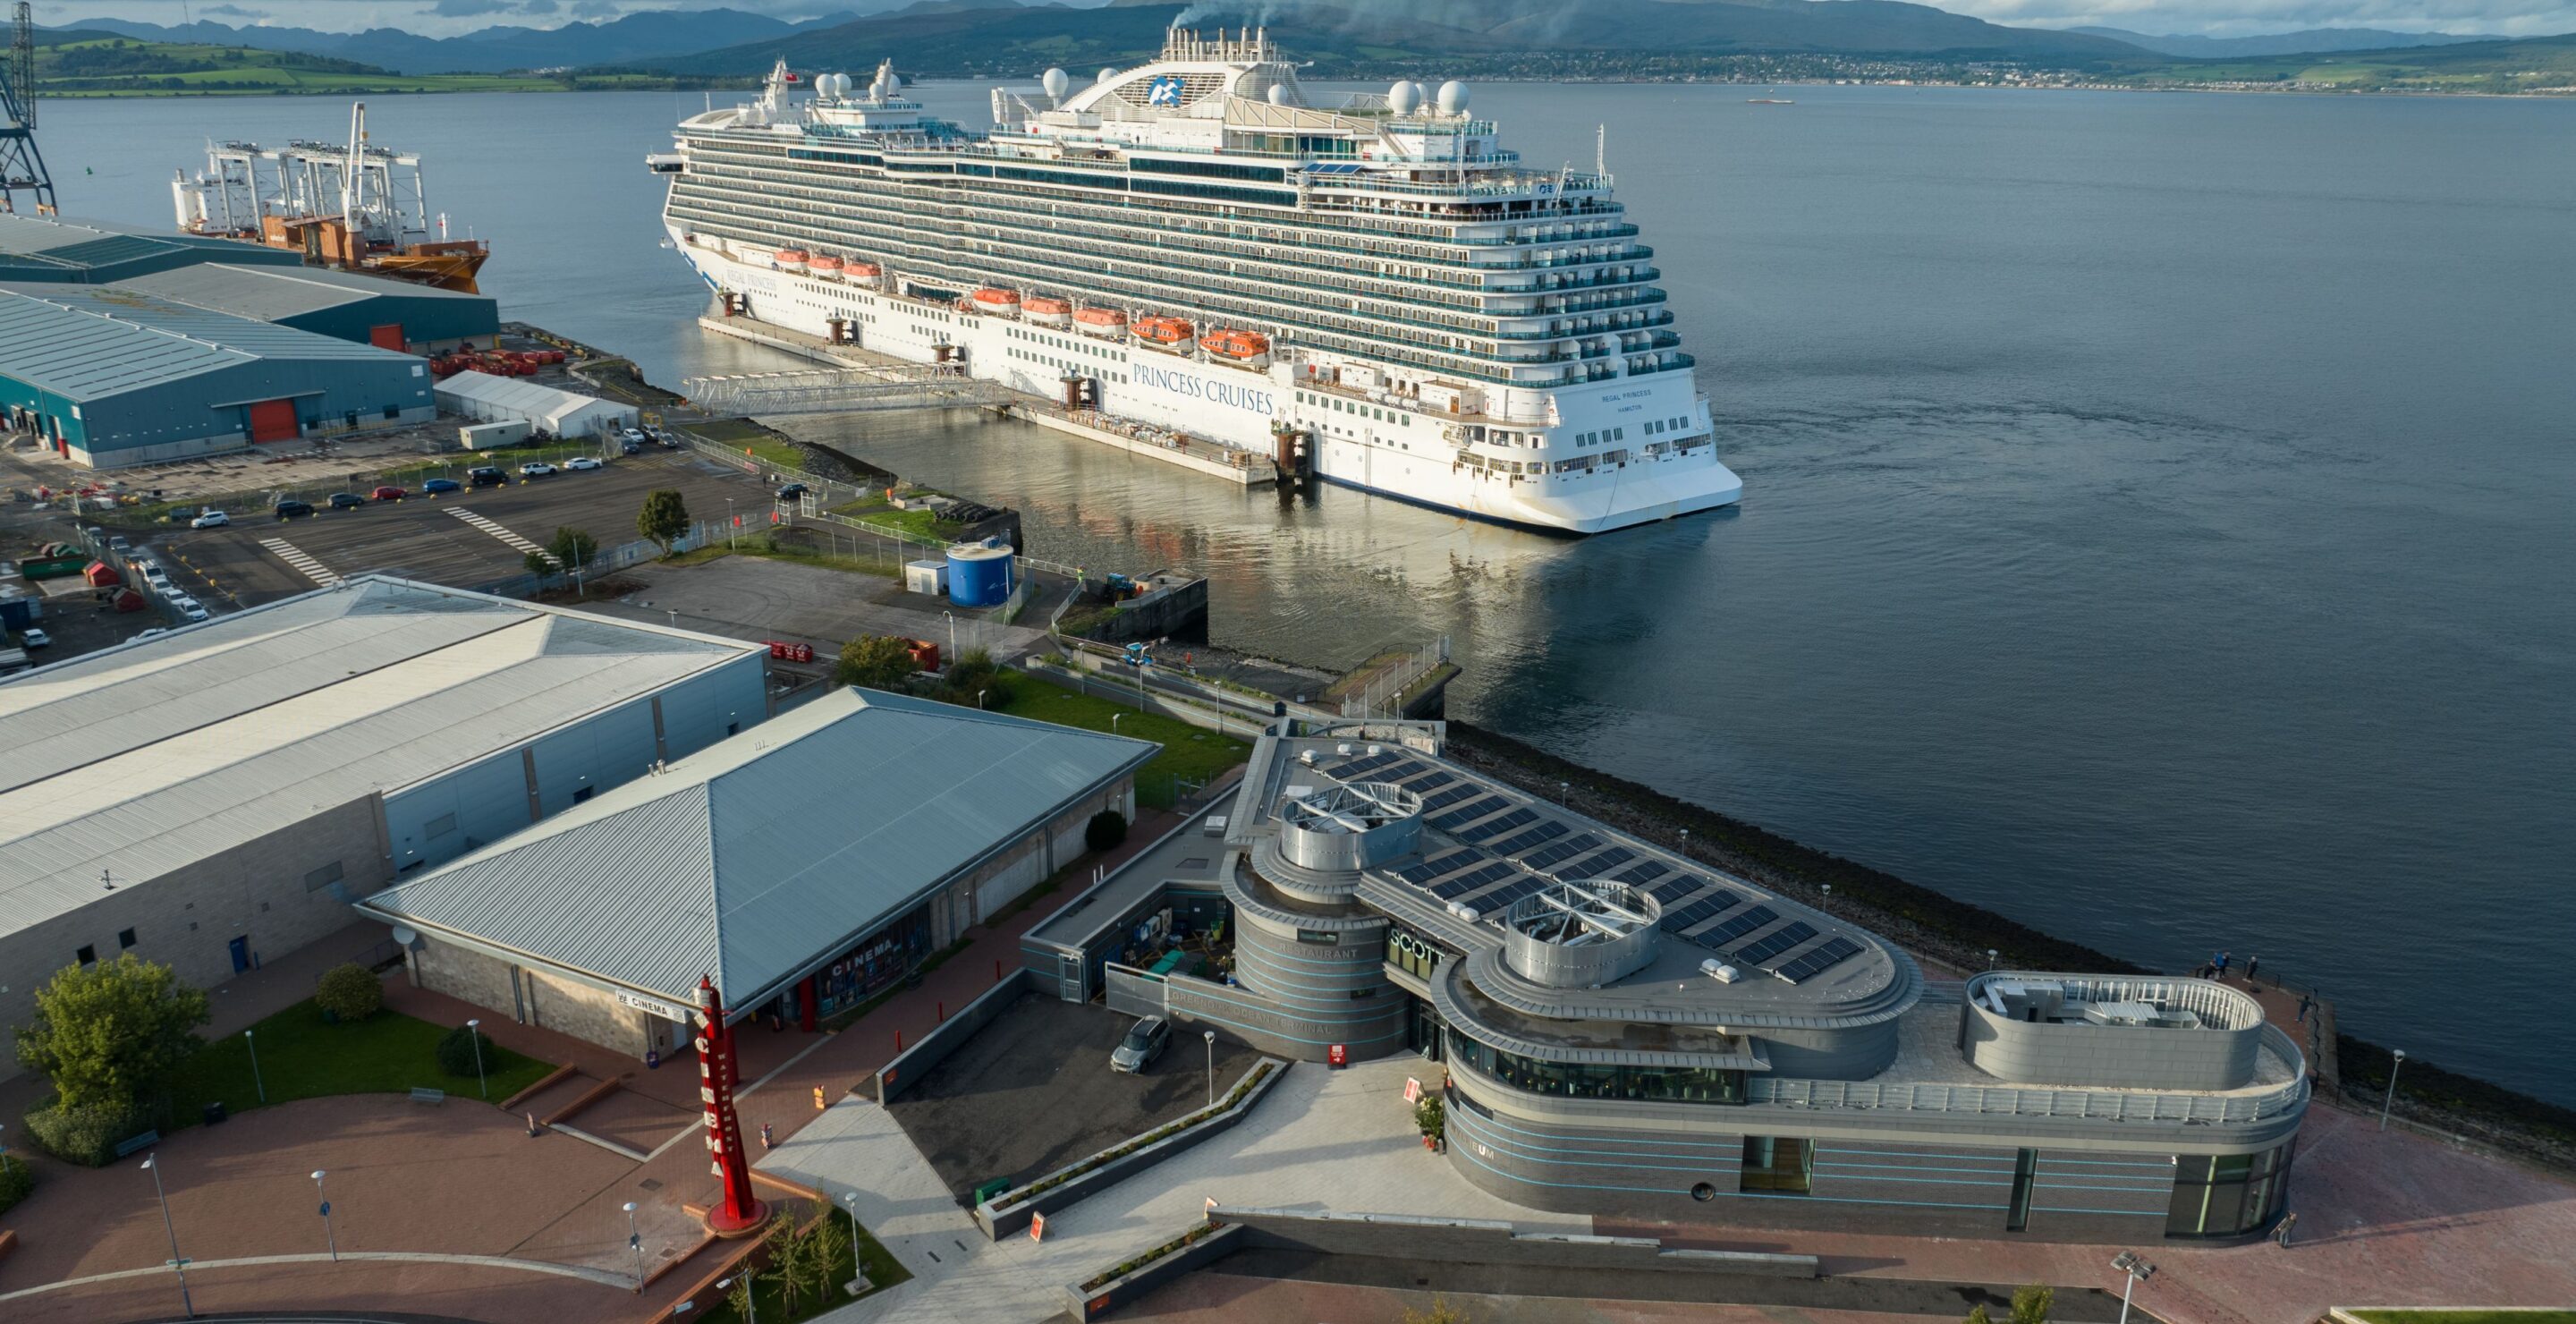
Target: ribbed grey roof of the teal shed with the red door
91,344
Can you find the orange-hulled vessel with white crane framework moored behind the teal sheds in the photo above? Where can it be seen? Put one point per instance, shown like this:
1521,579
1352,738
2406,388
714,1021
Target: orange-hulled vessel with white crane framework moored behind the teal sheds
354,207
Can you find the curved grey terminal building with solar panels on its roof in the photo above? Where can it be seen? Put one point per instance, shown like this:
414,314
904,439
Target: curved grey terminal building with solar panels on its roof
1632,1034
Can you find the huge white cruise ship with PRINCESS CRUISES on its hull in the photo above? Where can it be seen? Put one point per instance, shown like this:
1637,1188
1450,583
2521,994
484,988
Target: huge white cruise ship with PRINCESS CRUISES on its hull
1374,292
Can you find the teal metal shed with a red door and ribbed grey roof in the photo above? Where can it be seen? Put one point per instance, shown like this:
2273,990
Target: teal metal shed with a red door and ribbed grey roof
117,377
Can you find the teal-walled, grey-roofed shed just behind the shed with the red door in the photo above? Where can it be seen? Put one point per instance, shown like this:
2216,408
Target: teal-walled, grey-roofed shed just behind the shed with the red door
393,316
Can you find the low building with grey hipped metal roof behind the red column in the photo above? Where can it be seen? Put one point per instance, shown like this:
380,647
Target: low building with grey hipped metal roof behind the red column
800,867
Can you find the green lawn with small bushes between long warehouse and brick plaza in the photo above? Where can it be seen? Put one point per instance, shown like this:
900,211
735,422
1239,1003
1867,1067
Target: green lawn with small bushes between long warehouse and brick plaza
303,1057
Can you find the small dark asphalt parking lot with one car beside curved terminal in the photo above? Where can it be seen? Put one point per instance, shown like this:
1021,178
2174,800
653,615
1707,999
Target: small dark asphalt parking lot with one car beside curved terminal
1034,1091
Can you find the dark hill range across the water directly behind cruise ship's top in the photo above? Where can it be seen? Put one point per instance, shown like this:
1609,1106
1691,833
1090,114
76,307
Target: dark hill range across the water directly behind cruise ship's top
1346,37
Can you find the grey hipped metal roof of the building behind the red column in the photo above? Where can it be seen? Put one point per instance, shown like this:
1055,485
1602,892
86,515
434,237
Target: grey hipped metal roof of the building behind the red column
766,854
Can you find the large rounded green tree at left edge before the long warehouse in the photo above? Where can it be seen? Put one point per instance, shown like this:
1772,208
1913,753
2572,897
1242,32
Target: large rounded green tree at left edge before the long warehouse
112,1032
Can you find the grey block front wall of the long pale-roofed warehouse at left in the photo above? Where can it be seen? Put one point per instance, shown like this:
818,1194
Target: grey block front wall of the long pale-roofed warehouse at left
189,921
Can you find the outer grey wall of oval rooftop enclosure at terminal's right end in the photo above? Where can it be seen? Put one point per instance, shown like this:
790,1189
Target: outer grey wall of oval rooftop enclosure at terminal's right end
2137,1057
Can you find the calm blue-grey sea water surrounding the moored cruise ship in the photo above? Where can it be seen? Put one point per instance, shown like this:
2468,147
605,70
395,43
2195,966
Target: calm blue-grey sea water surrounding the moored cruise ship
2160,509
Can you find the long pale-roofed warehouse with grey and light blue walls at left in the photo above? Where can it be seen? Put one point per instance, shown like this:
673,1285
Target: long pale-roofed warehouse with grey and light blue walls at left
223,795
